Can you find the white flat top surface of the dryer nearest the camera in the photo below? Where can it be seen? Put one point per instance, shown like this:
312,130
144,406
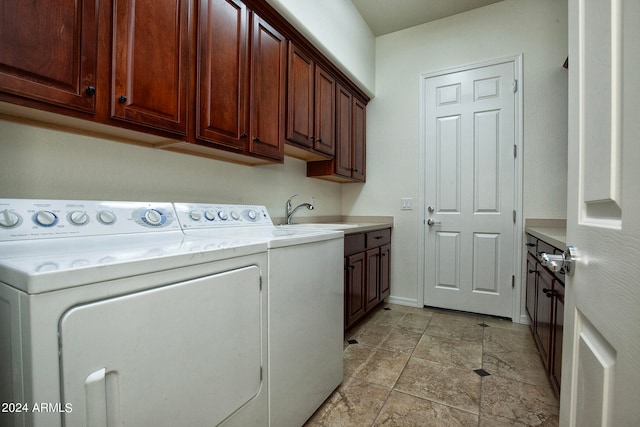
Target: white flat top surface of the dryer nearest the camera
43,266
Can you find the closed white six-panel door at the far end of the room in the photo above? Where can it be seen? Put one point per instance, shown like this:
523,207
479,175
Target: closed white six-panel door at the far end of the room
470,189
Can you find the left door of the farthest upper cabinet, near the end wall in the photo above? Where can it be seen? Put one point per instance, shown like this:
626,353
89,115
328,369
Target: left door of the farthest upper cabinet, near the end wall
344,104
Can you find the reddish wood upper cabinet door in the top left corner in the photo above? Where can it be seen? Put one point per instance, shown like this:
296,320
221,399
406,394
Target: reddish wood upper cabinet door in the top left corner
49,51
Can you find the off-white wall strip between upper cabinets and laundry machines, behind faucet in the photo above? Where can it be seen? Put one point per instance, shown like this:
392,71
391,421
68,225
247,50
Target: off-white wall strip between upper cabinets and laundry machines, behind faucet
42,163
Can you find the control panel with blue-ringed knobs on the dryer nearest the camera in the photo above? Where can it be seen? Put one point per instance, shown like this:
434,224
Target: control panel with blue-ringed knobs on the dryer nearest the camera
23,219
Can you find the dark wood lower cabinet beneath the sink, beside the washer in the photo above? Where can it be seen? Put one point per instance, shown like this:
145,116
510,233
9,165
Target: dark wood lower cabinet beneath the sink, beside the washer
367,272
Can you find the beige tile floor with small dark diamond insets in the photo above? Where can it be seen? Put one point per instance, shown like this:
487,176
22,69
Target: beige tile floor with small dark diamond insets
416,367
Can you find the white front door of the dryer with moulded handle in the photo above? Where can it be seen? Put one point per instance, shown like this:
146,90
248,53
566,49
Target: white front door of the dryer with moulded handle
183,354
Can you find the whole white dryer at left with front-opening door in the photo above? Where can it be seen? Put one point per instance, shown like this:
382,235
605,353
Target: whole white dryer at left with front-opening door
111,316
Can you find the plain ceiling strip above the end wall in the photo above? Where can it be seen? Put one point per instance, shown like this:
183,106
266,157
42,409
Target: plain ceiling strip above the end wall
387,16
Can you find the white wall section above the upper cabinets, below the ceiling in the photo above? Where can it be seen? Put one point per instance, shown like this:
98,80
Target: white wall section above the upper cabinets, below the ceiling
336,28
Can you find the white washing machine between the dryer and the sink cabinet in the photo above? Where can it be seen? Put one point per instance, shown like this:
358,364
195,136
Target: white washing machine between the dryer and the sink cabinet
306,303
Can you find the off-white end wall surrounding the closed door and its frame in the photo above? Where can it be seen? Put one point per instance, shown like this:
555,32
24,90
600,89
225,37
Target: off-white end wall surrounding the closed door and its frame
538,30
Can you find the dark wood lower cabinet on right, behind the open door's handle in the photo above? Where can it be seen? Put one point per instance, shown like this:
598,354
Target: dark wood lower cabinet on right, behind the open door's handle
545,307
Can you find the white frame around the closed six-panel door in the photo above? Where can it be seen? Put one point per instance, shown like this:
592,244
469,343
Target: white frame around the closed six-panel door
517,314
